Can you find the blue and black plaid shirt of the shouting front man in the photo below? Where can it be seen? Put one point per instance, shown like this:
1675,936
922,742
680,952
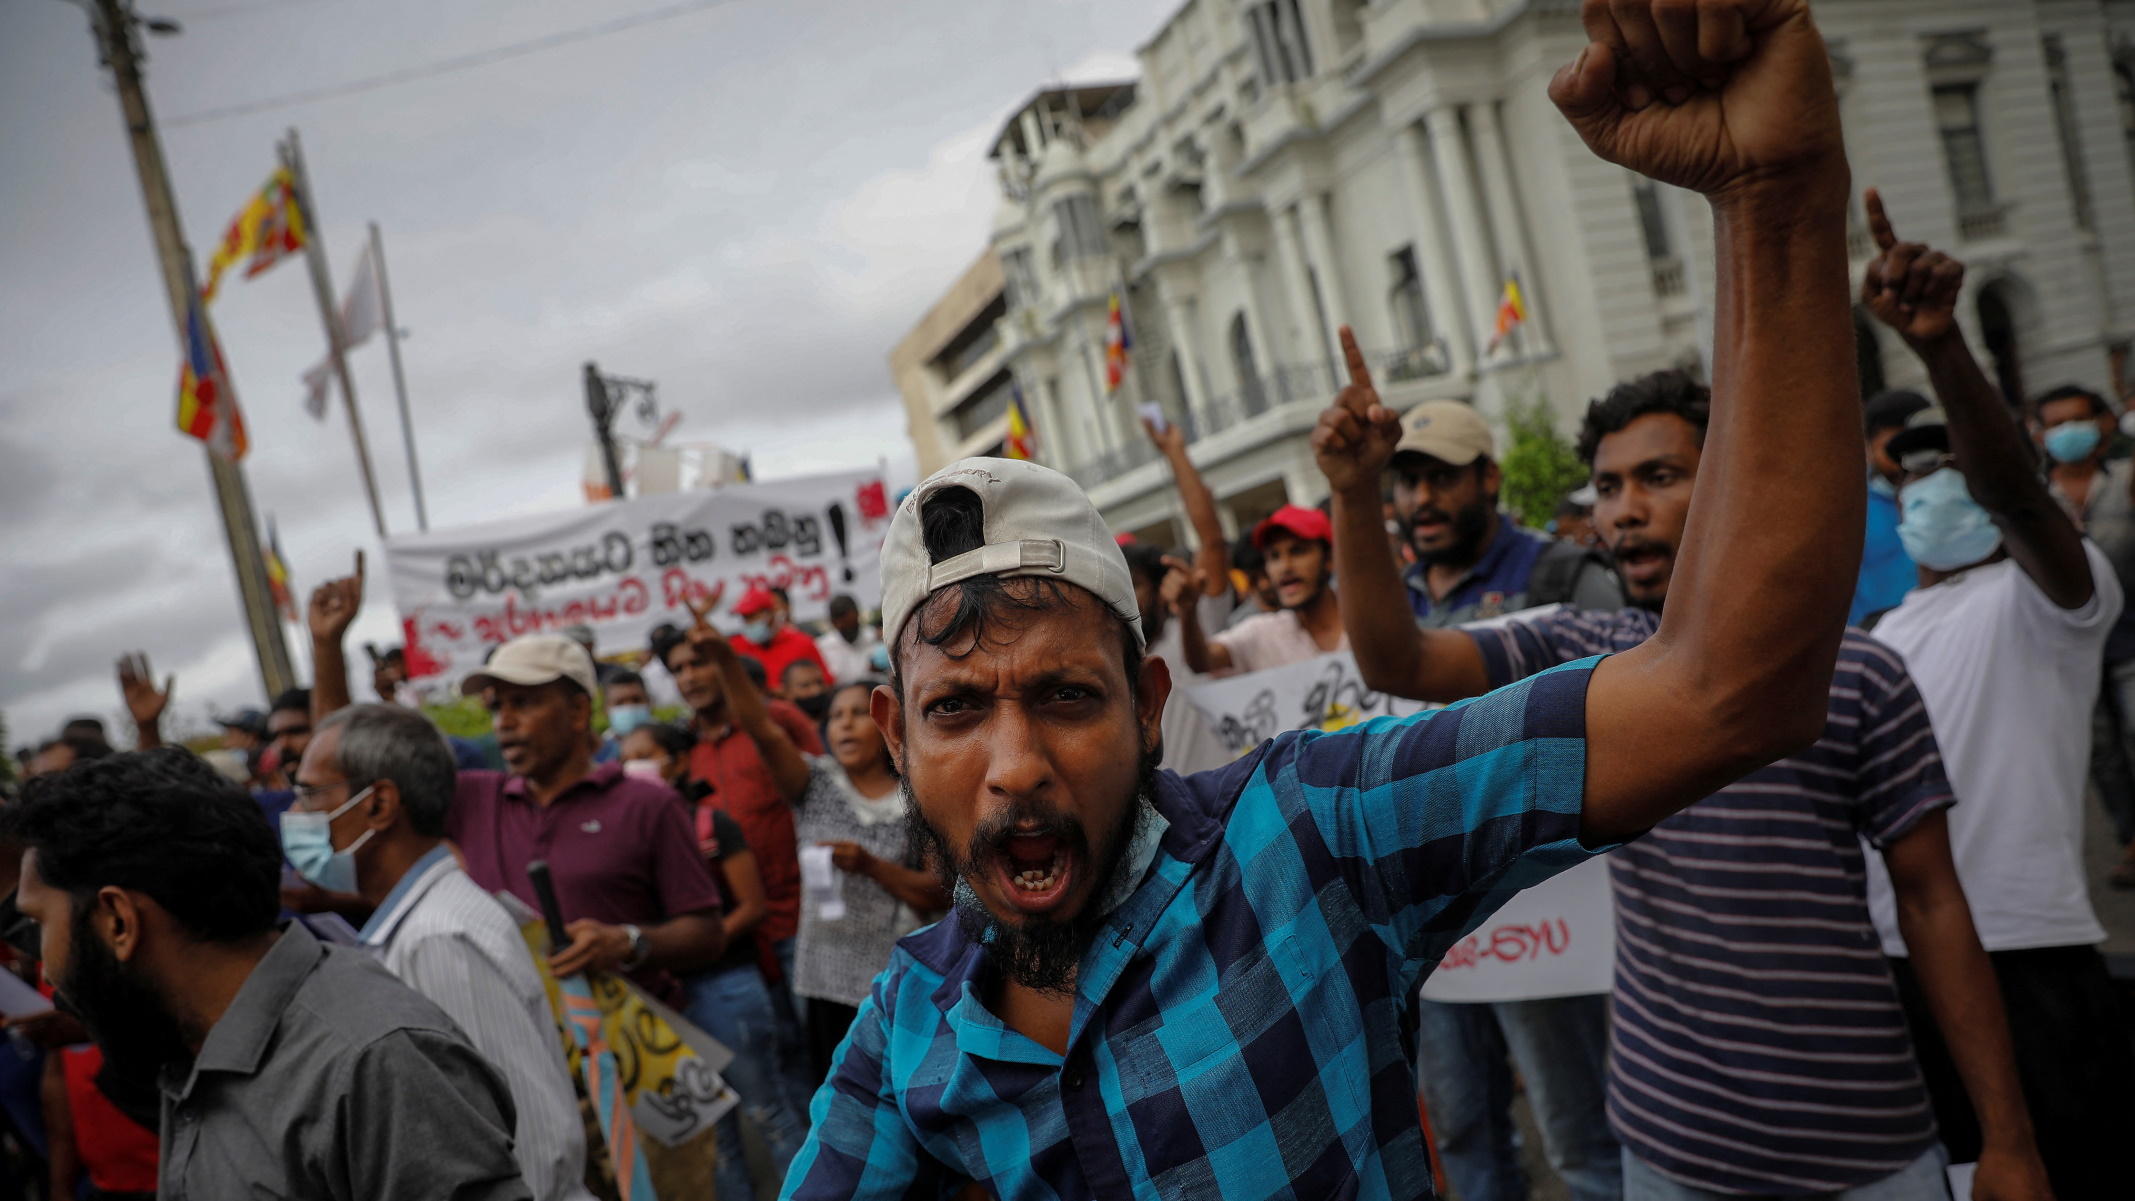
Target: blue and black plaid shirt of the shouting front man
1239,1021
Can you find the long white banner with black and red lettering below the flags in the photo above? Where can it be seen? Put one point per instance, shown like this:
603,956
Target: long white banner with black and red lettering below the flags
627,566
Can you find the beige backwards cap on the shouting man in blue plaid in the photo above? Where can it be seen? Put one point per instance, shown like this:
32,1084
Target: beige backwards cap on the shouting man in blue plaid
1039,524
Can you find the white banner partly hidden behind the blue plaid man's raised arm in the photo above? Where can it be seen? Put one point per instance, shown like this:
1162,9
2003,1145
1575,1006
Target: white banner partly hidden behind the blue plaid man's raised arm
1555,940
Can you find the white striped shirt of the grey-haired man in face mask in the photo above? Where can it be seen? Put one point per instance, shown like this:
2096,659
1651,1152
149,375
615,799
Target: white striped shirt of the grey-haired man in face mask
454,944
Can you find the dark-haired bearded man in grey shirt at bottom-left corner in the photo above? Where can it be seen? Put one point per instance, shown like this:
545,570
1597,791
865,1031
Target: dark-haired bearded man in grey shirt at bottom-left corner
287,1068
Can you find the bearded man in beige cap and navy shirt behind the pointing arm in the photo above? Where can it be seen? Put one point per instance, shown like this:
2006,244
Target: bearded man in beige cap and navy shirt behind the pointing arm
1470,558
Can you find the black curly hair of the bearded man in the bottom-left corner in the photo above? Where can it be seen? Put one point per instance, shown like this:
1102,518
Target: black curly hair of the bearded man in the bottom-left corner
157,822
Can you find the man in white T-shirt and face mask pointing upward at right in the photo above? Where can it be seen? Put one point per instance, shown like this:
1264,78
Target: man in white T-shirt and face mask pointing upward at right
2006,639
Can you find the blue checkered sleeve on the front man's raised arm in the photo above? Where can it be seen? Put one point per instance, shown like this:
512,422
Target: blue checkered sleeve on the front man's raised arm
1436,820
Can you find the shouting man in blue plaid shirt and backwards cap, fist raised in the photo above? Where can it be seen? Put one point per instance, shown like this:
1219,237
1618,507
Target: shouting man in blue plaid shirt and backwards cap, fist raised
1192,987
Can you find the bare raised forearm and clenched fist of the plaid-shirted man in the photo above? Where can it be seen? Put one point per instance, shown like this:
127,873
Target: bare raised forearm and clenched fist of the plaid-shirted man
1735,99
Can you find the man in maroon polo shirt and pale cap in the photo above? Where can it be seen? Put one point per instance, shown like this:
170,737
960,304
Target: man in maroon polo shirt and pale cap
622,852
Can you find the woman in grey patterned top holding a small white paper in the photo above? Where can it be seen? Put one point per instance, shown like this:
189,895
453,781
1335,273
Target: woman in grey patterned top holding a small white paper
855,807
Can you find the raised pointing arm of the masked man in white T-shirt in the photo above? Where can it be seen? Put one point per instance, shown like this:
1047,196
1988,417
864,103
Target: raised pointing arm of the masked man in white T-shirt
1914,291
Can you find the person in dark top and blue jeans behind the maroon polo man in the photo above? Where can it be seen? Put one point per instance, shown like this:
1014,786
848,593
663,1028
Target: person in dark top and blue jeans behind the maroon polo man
729,999
